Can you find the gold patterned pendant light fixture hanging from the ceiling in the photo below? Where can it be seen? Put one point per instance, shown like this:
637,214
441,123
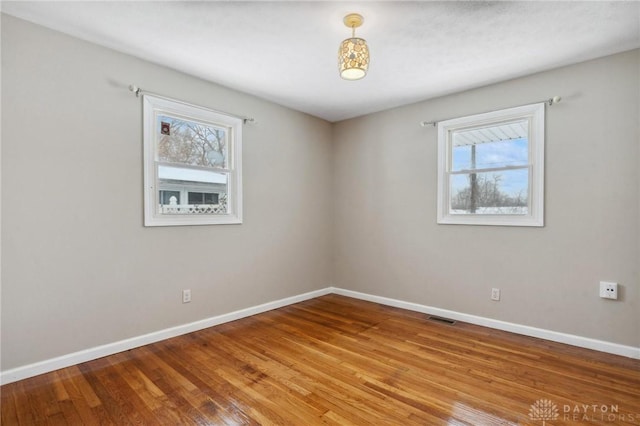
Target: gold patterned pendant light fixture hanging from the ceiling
353,54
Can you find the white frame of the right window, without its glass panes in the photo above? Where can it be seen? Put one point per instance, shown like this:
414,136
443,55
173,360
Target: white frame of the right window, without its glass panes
535,114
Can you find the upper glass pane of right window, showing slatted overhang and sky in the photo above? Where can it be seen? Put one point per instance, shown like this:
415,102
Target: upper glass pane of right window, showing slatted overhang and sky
501,145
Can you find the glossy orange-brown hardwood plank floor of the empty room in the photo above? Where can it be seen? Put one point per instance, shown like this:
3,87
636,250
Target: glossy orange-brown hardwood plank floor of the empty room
341,361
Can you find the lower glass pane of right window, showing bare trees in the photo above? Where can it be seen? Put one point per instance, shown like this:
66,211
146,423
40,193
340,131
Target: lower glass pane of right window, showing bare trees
503,192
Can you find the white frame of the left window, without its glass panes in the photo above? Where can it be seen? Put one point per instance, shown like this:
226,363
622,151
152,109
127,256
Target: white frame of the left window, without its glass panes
154,106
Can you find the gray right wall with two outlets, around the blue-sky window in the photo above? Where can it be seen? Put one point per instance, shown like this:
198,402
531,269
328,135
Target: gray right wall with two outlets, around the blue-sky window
387,241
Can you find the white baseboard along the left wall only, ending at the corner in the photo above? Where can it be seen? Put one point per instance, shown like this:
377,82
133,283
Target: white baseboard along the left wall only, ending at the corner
46,366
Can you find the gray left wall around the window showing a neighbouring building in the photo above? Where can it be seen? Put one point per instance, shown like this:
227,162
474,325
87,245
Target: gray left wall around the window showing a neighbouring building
79,269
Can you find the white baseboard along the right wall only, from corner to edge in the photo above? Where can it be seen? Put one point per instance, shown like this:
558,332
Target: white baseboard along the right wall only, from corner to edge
554,336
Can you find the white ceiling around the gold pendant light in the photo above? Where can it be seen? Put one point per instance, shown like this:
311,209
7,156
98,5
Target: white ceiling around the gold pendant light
286,52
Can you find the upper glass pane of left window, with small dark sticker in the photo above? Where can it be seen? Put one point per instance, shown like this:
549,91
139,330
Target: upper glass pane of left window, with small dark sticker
189,142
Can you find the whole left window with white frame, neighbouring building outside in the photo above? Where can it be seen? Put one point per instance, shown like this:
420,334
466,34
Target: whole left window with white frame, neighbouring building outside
192,165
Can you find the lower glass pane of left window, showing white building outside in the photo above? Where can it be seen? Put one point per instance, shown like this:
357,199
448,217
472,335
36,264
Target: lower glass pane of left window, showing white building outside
206,190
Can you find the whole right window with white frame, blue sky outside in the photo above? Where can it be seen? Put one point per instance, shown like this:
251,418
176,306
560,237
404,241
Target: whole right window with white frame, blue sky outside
491,168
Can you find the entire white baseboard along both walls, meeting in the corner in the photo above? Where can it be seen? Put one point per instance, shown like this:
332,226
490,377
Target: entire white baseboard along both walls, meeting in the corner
46,366
